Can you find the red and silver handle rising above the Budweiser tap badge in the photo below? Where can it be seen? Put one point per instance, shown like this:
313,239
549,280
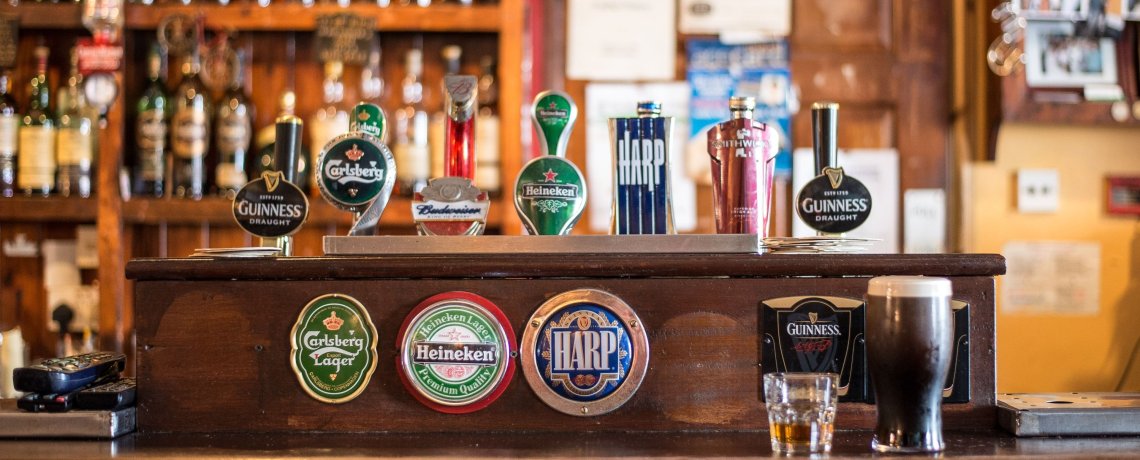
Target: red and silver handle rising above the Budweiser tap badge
460,136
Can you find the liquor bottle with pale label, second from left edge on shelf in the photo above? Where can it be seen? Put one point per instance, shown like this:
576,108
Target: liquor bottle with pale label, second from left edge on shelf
37,159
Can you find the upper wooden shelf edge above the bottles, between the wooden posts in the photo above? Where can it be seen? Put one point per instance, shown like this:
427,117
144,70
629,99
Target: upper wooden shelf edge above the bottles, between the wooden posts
297,18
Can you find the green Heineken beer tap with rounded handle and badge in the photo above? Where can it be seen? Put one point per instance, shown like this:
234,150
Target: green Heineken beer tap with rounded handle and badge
550,193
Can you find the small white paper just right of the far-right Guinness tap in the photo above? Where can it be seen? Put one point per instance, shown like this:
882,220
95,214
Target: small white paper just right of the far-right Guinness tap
925,221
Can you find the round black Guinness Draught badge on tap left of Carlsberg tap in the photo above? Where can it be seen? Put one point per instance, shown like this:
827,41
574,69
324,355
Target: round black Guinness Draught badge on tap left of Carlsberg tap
271,207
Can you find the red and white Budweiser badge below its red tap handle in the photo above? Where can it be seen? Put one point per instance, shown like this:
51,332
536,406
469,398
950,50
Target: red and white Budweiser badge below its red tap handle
451,207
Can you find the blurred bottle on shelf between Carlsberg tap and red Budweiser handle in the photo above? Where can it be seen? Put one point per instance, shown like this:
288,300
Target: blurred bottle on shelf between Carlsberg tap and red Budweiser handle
411,147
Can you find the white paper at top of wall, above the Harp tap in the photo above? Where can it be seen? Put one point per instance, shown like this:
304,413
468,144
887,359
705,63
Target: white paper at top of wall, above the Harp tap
622,40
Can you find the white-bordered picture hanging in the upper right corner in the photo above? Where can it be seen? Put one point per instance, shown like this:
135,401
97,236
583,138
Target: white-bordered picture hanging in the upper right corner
1056,59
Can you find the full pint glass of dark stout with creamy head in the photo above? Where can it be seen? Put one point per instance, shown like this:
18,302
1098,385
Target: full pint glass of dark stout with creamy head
909,340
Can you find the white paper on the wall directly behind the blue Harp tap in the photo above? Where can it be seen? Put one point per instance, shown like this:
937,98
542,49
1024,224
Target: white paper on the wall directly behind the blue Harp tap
607,101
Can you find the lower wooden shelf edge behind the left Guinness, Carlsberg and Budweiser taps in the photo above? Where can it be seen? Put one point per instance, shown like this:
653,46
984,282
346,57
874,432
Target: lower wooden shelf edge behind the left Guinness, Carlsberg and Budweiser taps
218,211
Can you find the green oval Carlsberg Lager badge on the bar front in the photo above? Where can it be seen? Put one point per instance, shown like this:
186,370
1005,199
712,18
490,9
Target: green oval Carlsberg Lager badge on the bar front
335,349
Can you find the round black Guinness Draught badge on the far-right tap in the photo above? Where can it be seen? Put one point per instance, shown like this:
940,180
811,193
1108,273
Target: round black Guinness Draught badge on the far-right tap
834,203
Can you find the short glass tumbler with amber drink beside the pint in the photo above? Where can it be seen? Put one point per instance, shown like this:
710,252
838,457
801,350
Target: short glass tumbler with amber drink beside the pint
802,412
